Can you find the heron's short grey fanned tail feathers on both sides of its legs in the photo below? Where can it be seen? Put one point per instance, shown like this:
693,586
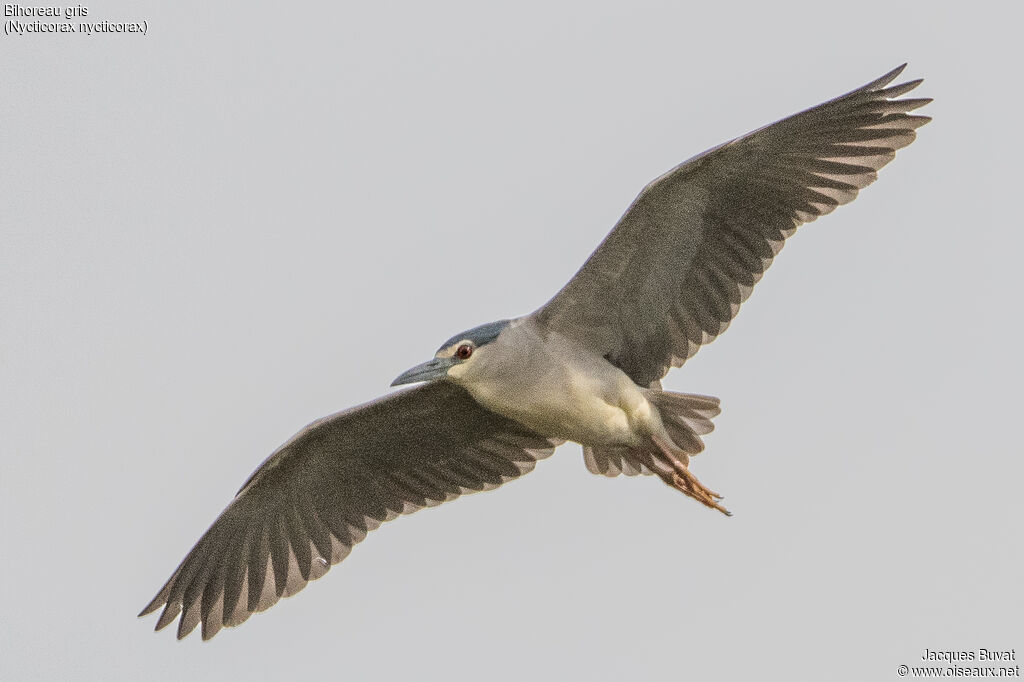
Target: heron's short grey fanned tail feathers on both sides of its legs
687,418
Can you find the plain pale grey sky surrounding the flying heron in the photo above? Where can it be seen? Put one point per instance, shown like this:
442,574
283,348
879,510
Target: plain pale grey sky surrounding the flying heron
254,217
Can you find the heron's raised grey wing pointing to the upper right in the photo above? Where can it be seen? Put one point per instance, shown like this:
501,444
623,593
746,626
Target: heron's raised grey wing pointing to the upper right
673,273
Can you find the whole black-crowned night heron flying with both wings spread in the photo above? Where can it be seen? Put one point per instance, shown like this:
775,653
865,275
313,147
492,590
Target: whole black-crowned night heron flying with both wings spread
586,367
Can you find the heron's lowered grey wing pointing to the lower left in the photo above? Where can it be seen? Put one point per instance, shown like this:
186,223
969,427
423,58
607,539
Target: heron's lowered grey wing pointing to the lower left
319,495
